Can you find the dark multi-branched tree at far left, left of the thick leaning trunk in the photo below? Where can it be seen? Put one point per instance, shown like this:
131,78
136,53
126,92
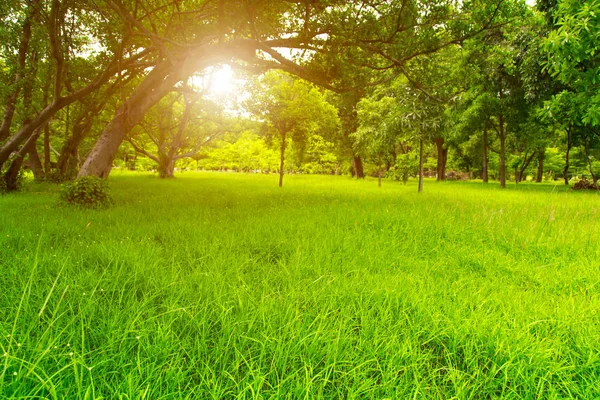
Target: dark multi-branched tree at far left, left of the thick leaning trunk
59,62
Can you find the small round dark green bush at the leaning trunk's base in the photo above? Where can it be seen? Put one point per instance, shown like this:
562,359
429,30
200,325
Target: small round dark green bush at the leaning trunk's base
87,191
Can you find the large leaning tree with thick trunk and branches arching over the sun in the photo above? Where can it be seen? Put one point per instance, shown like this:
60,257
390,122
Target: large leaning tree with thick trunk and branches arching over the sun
378,38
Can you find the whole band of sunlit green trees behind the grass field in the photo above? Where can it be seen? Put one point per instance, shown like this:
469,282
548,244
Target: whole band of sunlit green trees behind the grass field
485,88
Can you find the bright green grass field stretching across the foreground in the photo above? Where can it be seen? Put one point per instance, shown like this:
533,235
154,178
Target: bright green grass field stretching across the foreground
219,285
